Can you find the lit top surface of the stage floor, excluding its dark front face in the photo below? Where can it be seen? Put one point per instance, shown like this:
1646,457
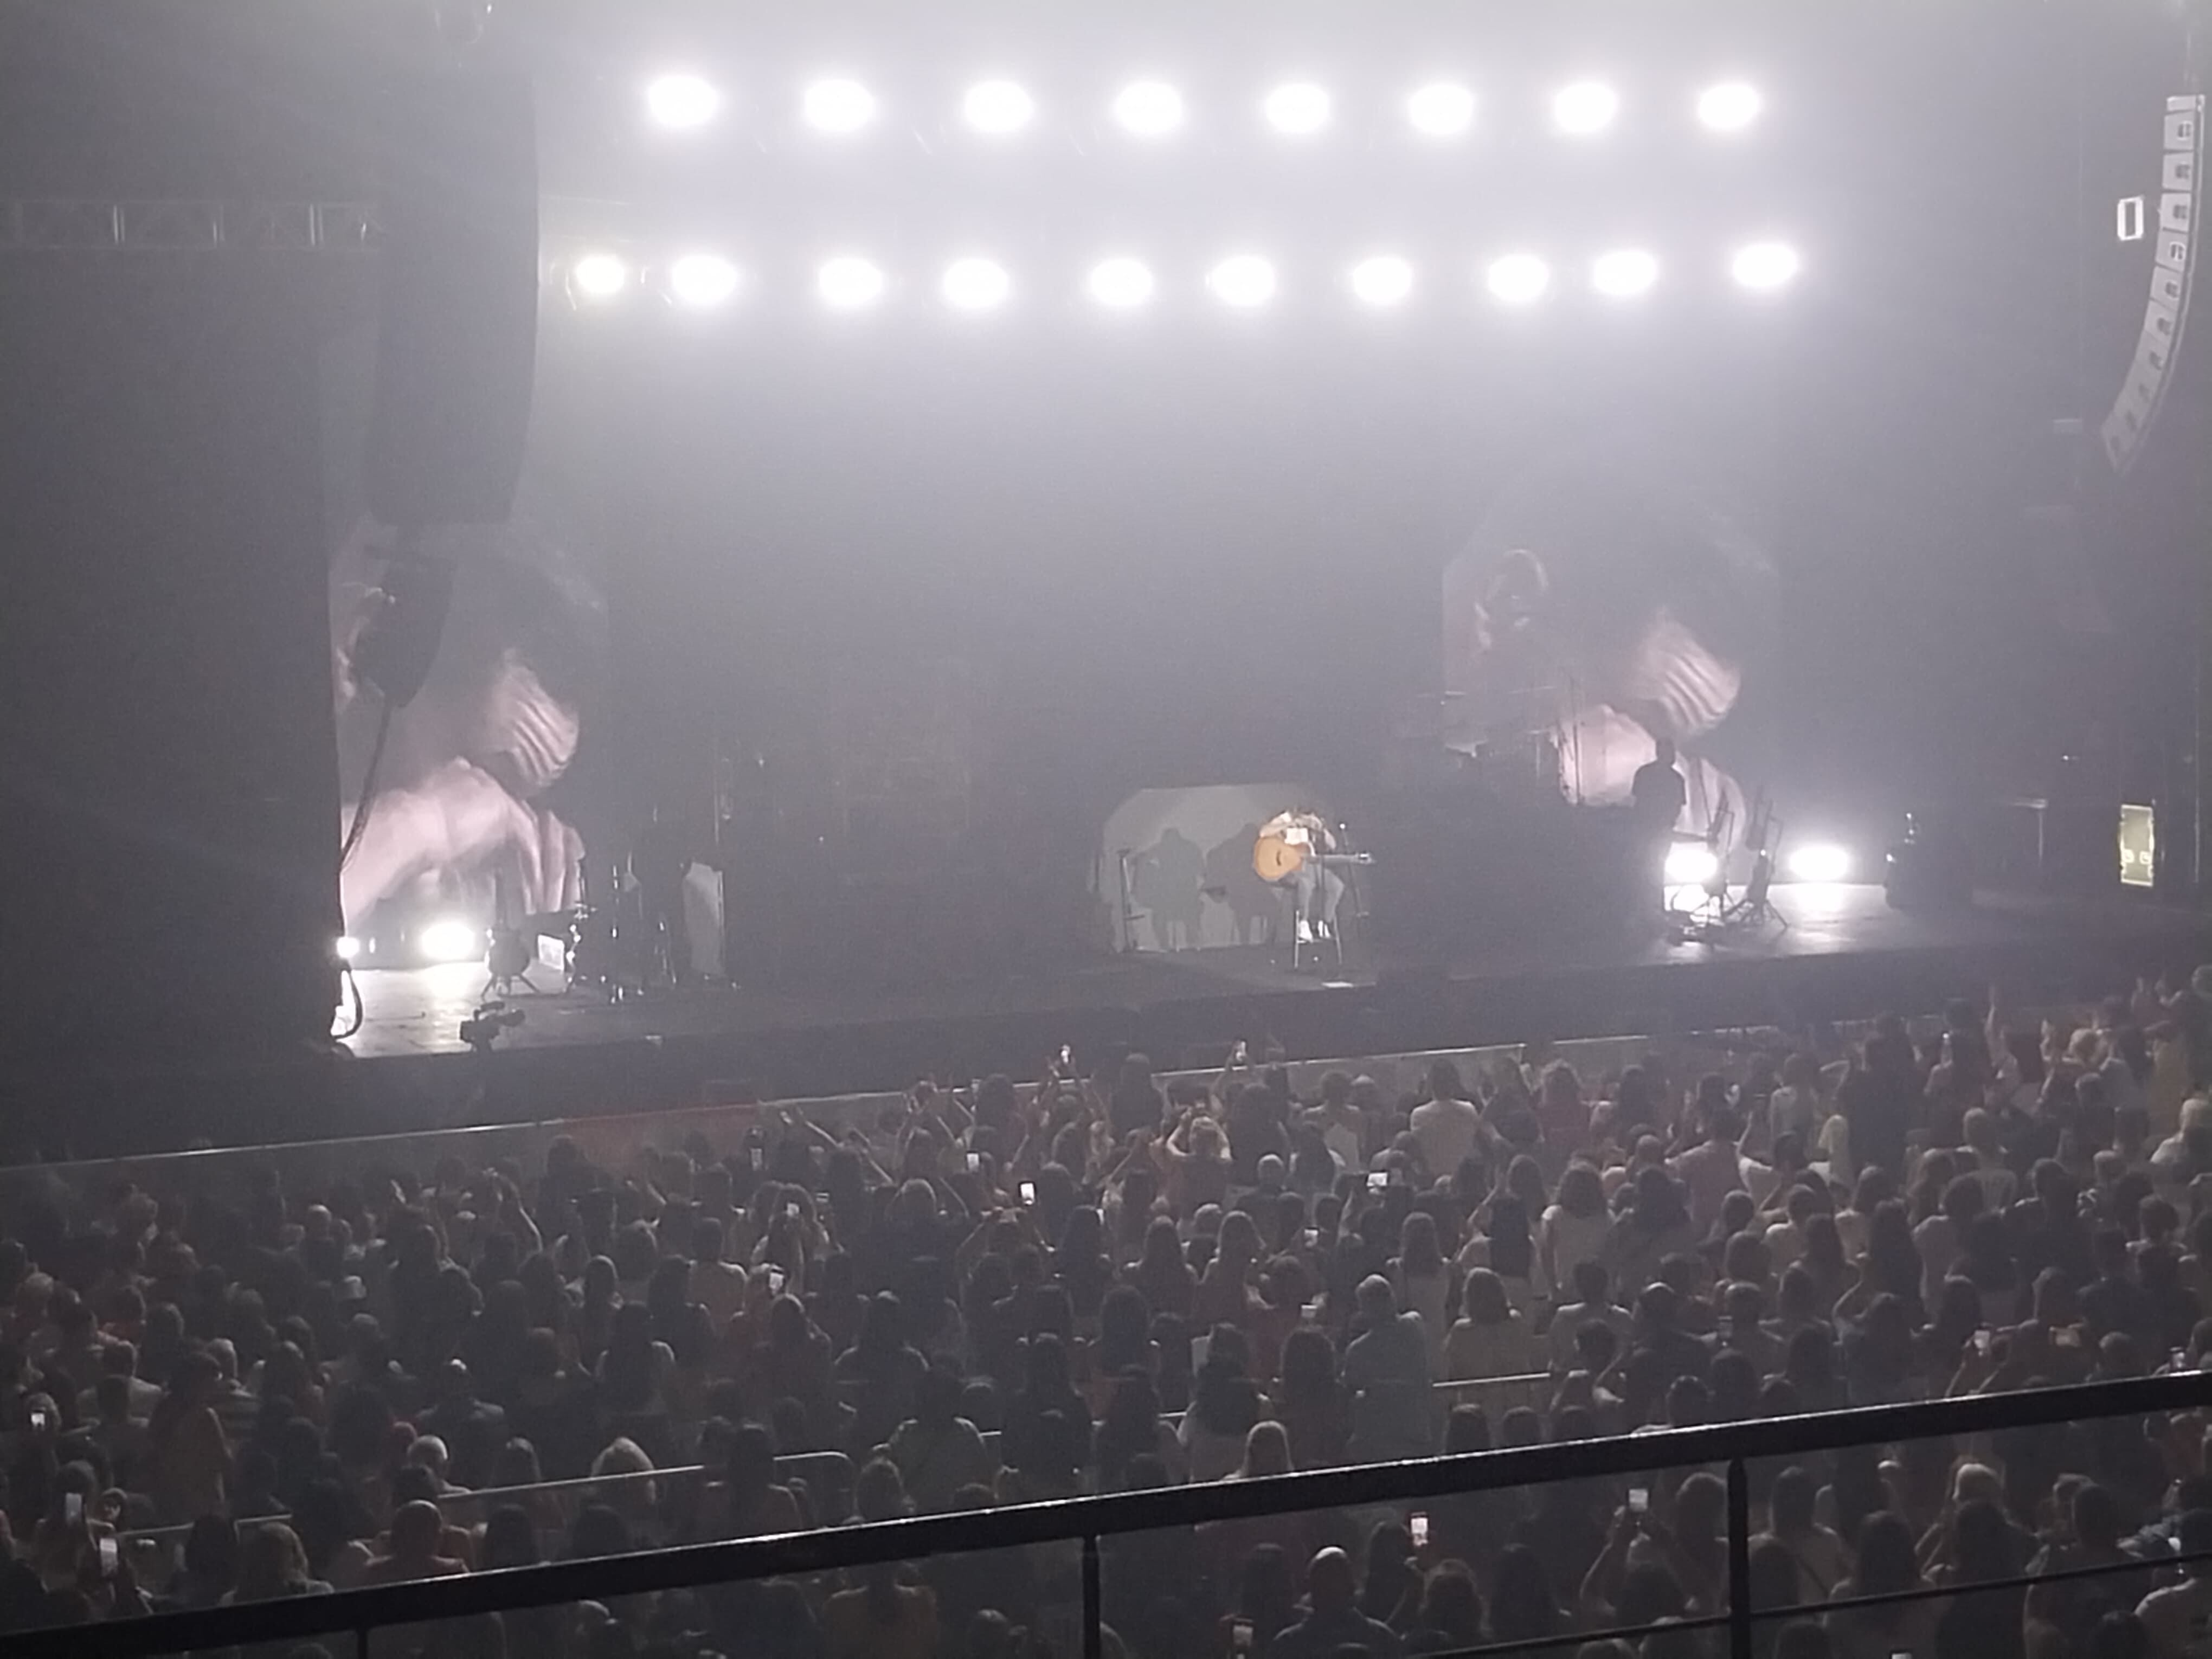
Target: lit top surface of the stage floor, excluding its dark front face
419,1012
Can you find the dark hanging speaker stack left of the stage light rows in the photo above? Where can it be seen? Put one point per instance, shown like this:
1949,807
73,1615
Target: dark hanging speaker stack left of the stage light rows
459,300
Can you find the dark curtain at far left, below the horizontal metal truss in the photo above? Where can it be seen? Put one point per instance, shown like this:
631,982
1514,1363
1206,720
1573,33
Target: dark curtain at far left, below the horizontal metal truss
167,749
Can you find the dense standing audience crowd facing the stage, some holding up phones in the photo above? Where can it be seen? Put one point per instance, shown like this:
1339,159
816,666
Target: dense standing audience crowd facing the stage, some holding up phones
1103,1284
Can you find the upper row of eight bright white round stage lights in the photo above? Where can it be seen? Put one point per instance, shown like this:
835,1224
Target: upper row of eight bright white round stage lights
1156,109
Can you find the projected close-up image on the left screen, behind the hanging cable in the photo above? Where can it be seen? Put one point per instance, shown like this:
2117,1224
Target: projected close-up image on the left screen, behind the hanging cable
461,791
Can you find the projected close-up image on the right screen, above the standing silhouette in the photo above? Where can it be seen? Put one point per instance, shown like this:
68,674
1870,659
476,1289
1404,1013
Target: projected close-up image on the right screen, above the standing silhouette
1603,614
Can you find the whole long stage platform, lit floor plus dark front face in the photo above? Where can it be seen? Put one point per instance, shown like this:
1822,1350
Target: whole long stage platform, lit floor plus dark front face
1846,954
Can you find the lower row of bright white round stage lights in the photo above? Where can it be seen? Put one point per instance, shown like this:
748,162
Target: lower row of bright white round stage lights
1125,284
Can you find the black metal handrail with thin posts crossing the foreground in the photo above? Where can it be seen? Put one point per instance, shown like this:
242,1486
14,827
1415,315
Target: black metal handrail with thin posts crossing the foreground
1092,1519
